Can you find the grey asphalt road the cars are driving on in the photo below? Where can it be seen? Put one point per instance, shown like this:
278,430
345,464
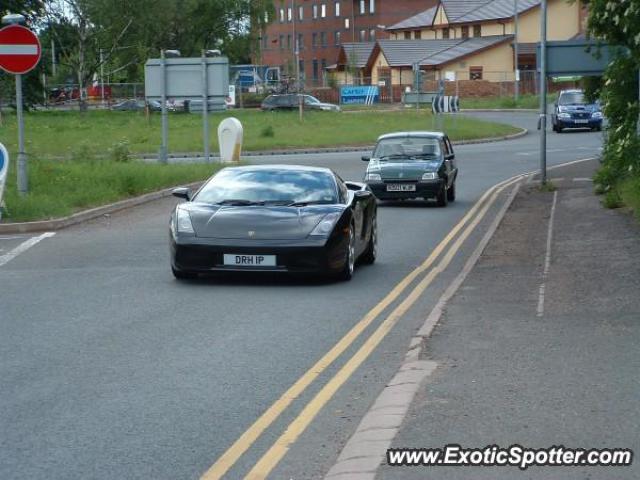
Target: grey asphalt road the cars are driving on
109,368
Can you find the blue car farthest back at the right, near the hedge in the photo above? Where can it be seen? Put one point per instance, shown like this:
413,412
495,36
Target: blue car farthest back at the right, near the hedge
572,110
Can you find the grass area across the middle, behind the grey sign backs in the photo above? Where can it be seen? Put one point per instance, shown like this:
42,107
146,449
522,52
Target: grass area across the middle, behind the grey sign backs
71,135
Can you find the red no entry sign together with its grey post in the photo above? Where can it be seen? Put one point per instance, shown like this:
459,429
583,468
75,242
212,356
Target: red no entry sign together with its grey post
19,53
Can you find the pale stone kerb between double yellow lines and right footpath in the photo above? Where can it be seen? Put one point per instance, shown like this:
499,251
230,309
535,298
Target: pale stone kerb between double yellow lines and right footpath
375,419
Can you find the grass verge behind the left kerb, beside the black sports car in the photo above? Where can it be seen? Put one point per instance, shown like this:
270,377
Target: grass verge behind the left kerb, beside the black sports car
58,189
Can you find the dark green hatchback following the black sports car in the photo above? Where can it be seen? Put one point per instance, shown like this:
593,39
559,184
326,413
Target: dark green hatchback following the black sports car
408,165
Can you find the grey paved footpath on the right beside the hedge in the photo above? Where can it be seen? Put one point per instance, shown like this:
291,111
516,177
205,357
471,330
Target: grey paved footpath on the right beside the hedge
533,359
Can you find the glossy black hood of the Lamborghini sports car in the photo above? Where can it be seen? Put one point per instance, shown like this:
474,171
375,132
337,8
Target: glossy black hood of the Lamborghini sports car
255,222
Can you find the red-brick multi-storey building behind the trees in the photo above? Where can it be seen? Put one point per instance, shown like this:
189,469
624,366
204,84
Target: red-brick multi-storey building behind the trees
322,26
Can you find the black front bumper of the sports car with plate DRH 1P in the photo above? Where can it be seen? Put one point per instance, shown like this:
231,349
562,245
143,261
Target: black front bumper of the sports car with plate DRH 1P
313,255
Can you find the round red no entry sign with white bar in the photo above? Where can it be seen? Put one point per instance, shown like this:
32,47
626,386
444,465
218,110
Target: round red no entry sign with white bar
19,49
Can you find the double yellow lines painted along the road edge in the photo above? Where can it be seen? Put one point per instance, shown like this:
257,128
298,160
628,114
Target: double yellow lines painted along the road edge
273,456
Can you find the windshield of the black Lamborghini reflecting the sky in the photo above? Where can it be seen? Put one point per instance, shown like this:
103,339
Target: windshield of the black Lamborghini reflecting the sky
269,187
